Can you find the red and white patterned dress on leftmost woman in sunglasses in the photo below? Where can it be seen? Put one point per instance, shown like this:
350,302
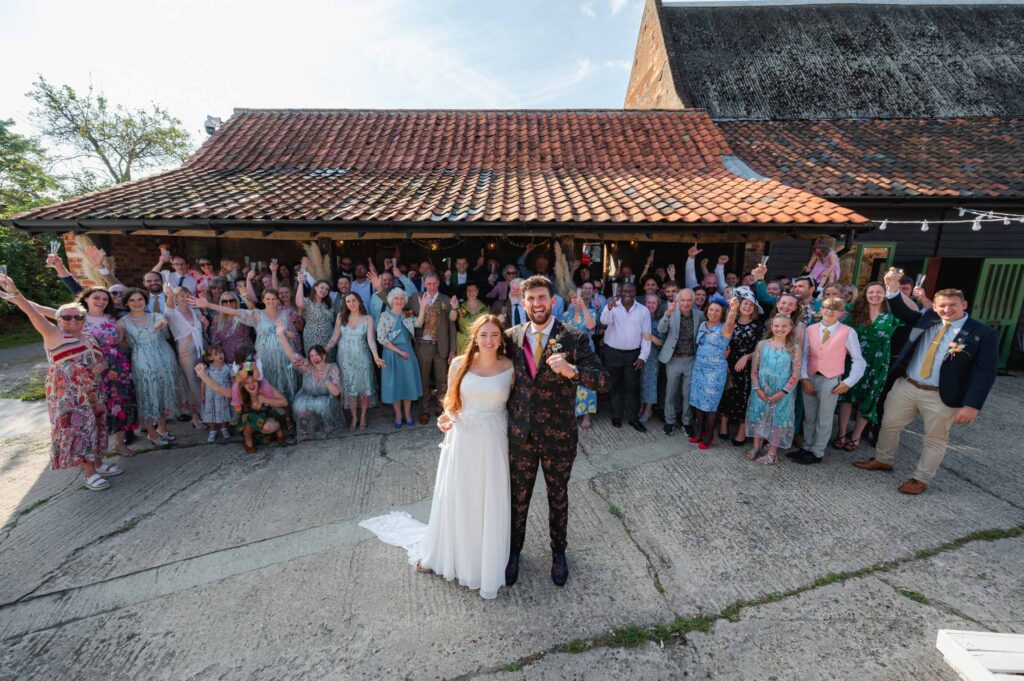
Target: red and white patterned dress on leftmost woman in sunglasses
74,399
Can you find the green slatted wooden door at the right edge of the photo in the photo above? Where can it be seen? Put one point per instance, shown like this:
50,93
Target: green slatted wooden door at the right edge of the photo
998,301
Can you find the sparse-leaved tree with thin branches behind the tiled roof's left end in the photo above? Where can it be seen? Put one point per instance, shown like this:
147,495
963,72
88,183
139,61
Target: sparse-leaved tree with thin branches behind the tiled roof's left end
122,141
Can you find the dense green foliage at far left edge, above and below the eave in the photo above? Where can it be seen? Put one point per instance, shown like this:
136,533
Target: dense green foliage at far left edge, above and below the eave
25,184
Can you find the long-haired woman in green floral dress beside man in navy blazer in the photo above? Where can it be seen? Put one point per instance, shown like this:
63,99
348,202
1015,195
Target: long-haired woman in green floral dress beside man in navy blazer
875,325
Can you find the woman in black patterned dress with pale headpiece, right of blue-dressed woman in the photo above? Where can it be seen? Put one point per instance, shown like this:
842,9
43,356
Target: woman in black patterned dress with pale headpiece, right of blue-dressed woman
748,331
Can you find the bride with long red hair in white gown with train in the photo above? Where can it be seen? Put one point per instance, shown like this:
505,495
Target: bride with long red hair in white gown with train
467,538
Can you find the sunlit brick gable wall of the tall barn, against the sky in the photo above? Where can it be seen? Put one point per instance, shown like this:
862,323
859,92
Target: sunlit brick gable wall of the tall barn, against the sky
652,86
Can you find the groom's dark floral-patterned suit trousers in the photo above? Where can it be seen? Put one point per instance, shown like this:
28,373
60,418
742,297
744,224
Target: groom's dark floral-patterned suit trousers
558,466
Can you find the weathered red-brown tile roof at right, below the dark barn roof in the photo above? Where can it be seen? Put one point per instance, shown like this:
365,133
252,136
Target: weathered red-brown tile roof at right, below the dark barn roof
980,158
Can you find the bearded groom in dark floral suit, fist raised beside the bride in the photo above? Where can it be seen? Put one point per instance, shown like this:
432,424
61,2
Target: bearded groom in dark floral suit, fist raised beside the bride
550,360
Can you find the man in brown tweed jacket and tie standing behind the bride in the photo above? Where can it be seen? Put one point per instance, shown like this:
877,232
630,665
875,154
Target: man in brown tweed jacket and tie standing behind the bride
436,339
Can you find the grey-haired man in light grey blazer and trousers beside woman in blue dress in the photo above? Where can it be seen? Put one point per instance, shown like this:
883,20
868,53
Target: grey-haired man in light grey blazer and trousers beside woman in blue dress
680,322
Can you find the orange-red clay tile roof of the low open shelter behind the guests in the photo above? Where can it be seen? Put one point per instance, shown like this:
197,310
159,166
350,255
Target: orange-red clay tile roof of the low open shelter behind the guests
463,166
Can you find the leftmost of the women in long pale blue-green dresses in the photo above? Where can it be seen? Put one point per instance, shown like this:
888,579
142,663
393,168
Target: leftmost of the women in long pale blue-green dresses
161,391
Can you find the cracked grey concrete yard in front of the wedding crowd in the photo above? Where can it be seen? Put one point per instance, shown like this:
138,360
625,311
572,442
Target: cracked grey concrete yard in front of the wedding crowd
202,563
